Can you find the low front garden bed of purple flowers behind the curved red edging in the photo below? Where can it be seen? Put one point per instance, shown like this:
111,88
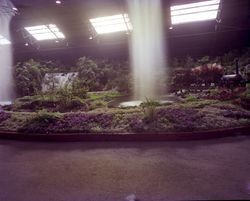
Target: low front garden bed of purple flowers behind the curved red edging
191,115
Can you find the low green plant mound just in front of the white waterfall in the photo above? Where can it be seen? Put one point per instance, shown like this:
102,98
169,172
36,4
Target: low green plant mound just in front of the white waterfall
64,100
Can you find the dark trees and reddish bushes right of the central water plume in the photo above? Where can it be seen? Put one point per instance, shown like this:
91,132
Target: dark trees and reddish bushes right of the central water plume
196,71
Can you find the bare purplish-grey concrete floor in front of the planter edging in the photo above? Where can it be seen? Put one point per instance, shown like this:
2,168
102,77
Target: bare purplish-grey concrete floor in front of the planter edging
215,169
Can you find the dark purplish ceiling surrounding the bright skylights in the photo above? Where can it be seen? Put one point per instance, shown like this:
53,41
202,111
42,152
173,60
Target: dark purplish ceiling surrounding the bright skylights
72,16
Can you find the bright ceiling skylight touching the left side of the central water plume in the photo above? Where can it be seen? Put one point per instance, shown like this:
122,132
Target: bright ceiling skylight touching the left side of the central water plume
110,24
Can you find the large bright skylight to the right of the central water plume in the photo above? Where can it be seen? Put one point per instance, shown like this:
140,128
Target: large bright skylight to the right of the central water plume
200,11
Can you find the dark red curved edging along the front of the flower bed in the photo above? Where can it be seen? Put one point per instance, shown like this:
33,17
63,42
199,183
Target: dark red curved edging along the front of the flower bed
147,137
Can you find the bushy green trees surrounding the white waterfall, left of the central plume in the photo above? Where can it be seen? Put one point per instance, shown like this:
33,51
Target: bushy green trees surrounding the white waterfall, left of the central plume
93,75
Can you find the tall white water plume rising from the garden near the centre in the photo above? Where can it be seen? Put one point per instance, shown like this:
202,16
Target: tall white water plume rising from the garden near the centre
147,48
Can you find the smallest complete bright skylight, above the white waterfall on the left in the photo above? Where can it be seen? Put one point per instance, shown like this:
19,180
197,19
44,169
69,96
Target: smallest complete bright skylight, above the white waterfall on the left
45,32
